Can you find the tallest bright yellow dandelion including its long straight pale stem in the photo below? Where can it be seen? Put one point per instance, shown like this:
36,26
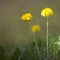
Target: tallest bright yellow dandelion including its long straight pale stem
46,12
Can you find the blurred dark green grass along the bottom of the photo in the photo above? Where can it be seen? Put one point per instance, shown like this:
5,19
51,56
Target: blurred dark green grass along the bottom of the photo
31,53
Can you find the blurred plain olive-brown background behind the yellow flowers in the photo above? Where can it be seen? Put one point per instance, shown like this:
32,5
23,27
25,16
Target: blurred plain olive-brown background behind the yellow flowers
14,32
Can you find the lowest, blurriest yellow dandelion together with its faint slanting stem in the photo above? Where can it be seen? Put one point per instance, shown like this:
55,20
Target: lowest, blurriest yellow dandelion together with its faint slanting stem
35,29
